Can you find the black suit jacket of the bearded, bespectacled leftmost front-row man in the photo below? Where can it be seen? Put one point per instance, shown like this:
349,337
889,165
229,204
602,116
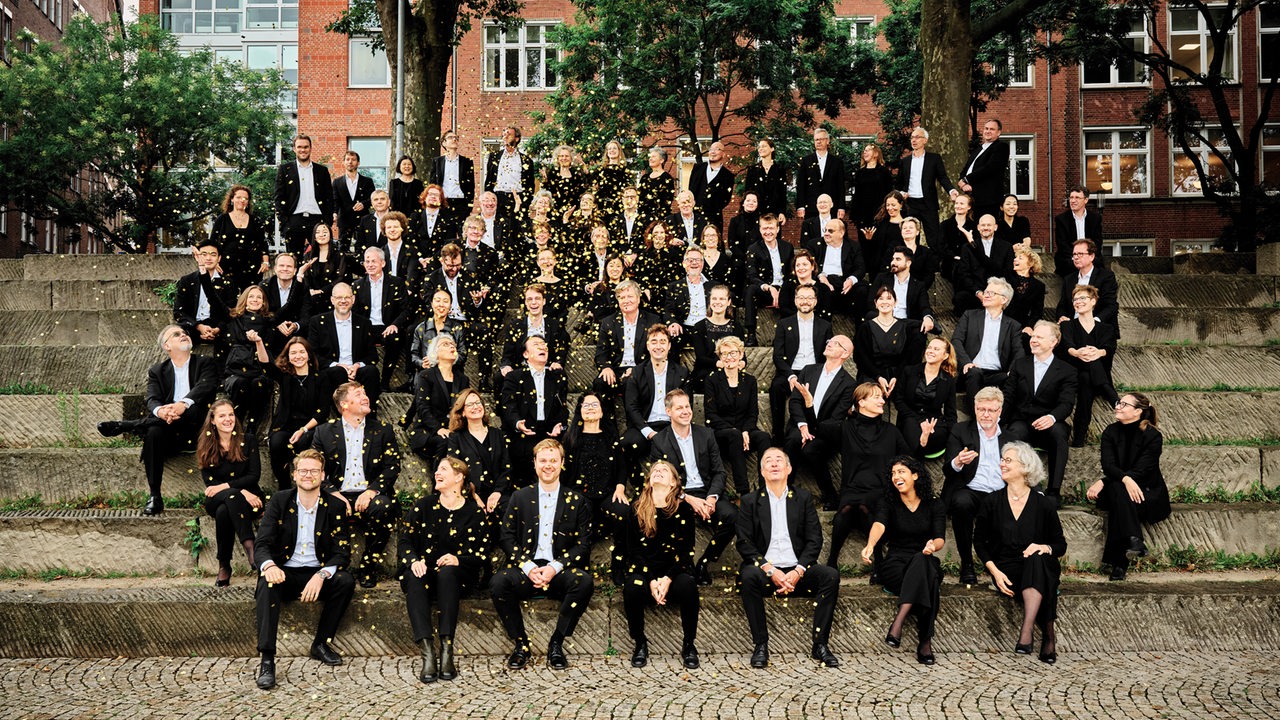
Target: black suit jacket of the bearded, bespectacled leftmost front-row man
278,532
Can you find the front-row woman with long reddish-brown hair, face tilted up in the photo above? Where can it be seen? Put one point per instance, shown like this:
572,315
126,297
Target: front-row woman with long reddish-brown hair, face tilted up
661,560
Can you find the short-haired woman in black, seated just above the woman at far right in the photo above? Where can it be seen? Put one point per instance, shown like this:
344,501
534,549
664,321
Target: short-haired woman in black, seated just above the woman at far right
1090,345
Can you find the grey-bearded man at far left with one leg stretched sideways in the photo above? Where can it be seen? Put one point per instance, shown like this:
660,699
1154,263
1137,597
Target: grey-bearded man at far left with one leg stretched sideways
180,390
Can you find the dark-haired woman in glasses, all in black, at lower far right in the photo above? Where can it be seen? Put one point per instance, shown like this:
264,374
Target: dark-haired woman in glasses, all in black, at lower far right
1132,489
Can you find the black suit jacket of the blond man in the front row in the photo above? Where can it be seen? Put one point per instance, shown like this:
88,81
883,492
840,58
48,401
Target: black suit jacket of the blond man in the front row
572,530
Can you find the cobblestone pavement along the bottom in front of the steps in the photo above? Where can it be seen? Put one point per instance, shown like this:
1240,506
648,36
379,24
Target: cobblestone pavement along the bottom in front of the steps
889,685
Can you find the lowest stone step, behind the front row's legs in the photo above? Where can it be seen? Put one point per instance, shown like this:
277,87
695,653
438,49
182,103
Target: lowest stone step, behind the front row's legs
121,619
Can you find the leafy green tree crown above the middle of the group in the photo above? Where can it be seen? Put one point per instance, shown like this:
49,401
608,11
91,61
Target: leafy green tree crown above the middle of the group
687,69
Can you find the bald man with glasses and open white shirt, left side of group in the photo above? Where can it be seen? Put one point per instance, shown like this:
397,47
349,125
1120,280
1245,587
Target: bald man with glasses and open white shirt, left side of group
345,344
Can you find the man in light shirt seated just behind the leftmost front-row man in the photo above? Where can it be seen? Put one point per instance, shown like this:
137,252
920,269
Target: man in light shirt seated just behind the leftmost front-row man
362,467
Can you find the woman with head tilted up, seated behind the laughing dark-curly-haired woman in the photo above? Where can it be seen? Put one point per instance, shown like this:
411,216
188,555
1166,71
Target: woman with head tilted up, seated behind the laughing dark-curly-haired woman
926,400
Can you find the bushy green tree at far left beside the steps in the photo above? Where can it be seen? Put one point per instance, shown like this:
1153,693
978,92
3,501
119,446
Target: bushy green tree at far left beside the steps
148,124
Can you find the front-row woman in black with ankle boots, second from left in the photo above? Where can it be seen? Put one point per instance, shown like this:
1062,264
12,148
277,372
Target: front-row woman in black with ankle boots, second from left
444,550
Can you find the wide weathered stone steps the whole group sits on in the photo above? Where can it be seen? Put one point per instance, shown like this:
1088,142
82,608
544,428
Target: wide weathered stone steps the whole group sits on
77,335
